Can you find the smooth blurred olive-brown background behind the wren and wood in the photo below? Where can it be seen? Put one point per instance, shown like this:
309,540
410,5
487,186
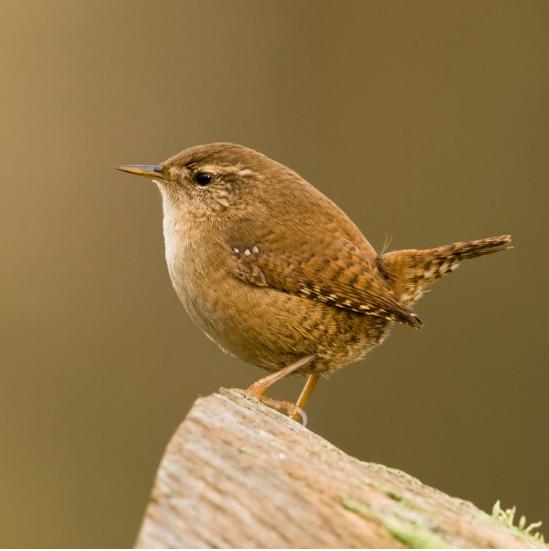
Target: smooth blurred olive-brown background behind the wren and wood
427,121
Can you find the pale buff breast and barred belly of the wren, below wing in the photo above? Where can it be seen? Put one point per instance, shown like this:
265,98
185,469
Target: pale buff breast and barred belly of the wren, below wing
259,324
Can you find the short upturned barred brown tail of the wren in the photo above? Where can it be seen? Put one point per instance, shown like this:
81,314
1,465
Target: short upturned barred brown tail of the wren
410,271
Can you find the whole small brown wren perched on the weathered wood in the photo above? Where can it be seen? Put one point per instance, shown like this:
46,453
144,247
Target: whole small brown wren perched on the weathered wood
275,273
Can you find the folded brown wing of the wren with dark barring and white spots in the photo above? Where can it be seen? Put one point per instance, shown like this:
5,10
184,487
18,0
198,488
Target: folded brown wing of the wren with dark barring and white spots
336,273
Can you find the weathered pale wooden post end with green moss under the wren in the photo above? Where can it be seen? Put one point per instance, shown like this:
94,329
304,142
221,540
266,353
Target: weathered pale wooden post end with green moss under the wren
238,474
